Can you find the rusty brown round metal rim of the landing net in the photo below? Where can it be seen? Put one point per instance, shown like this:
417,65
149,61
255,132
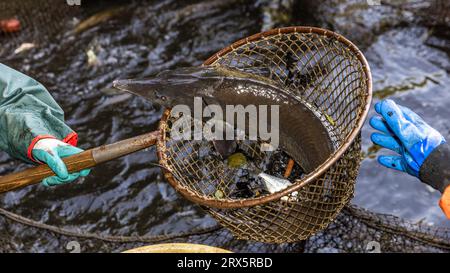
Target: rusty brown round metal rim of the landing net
320,170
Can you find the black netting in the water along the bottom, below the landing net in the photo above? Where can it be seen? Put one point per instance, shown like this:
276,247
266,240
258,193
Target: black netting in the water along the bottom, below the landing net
354,230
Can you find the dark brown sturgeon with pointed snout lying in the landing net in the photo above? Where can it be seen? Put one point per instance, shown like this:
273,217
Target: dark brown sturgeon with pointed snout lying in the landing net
302,135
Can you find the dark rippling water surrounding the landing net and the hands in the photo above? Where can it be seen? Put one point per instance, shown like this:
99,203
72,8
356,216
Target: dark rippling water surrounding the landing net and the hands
129,196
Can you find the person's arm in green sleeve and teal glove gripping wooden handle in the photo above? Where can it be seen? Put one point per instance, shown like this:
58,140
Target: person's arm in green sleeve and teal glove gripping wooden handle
32,126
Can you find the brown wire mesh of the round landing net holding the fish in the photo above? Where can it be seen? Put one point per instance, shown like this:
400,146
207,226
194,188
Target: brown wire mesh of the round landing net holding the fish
328,76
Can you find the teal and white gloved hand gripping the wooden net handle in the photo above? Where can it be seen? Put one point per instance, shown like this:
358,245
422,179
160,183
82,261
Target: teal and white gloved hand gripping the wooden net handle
50,151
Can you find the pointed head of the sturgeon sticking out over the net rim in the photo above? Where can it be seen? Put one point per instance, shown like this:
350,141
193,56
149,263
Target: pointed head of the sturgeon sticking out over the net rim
172,87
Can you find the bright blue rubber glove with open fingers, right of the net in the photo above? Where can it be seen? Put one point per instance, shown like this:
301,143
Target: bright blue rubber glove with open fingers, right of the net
404,132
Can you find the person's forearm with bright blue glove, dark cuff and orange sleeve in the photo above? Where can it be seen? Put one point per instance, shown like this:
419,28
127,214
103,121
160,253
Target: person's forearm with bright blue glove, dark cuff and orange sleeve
423,151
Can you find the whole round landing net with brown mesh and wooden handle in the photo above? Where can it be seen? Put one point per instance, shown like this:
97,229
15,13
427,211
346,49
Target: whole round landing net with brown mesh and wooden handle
319,67
